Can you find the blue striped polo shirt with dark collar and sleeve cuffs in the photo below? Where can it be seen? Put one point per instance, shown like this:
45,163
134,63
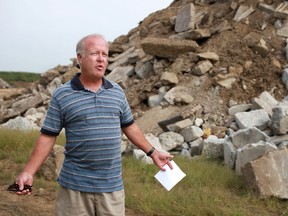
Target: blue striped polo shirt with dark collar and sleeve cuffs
92,123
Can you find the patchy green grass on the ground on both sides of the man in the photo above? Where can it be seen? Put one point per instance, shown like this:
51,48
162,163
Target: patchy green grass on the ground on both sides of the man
209,188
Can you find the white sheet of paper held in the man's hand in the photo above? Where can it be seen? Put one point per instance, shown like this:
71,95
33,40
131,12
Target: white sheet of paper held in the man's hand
170,178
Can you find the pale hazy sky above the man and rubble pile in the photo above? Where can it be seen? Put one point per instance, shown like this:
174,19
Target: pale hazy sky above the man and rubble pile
38,35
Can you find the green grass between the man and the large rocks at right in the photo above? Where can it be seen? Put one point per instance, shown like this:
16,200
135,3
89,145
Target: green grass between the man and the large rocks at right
209,188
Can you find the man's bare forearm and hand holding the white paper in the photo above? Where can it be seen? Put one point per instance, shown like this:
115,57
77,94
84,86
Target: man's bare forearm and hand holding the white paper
136,136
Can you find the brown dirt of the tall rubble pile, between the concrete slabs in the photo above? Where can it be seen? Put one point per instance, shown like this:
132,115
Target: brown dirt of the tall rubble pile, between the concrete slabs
234,44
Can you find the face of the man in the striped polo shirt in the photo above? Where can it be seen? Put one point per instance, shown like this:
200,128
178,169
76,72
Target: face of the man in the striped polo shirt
95,58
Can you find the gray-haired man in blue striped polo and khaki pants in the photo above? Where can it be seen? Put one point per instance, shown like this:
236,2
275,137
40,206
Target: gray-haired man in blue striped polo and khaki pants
93,112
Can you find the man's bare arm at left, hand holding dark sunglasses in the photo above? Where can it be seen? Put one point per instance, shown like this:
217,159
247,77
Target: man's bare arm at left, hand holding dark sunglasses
42,148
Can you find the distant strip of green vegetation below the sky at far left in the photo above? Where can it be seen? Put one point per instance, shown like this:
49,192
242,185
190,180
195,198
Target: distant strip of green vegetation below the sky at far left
12,77
